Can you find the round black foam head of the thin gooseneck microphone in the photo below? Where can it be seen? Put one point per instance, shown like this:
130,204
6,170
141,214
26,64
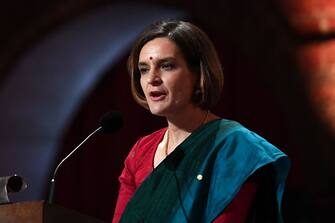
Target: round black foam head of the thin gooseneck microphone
111,122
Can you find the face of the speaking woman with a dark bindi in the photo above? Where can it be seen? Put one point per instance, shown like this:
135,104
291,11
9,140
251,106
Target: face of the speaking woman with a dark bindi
166,80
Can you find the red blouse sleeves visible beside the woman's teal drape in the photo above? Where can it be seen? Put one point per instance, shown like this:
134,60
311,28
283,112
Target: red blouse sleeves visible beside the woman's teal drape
139,164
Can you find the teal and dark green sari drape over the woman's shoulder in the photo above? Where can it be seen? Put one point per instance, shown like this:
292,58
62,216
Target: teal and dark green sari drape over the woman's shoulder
203,174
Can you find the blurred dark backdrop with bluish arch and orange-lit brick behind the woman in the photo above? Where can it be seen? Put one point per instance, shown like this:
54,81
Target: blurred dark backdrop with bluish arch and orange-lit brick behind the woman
63,65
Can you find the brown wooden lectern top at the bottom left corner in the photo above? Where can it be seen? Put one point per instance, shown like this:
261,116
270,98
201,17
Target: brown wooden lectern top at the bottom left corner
41,212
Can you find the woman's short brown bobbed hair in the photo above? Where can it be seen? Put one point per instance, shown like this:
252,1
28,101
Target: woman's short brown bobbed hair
199,54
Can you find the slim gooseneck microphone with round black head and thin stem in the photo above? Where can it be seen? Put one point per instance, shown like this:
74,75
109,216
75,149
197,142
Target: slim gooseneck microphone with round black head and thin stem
110,122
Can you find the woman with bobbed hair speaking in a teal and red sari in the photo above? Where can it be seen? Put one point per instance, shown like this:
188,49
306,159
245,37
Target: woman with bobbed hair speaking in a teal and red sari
200,168
